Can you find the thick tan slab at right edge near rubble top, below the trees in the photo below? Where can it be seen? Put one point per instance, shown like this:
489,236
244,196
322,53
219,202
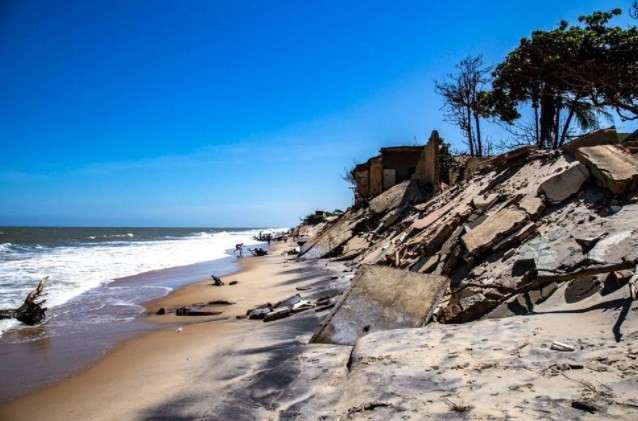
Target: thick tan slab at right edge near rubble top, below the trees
613,168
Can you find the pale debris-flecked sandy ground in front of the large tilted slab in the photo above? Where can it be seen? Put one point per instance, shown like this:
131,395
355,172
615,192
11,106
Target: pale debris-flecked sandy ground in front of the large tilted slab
499,369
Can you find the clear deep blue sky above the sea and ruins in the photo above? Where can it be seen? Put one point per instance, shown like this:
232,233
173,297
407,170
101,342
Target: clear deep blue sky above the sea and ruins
226,113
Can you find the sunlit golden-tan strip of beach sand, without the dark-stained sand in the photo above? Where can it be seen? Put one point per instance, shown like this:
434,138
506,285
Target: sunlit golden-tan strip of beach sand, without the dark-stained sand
161,362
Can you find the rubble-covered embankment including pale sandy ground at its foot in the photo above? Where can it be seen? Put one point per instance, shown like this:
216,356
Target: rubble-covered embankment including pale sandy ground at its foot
443,271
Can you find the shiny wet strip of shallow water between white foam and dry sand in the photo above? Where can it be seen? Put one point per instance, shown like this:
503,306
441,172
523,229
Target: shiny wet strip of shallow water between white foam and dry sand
79,333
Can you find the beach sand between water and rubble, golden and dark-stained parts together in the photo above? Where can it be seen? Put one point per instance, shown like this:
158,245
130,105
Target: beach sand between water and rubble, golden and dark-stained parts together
211,368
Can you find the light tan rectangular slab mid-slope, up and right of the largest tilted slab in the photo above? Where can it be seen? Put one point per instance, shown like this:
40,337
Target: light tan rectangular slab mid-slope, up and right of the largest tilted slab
493,229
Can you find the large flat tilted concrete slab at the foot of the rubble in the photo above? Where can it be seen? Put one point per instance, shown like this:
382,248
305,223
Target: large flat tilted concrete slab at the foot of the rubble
381,298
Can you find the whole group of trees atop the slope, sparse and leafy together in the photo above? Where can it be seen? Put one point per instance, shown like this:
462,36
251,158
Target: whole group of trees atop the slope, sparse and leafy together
553,86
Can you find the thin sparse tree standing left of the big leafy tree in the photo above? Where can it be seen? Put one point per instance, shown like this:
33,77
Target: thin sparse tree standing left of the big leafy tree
464,99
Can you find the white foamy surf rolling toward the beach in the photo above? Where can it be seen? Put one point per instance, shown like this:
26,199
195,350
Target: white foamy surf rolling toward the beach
75,269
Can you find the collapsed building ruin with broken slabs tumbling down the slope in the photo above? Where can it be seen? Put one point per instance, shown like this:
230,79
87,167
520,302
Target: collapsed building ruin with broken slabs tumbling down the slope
504,236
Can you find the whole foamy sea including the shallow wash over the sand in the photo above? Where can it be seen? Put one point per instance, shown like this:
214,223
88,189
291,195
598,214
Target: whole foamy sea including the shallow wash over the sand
99,279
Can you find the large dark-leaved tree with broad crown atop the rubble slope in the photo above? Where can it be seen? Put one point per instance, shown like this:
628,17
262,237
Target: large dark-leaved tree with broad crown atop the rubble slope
569,76
